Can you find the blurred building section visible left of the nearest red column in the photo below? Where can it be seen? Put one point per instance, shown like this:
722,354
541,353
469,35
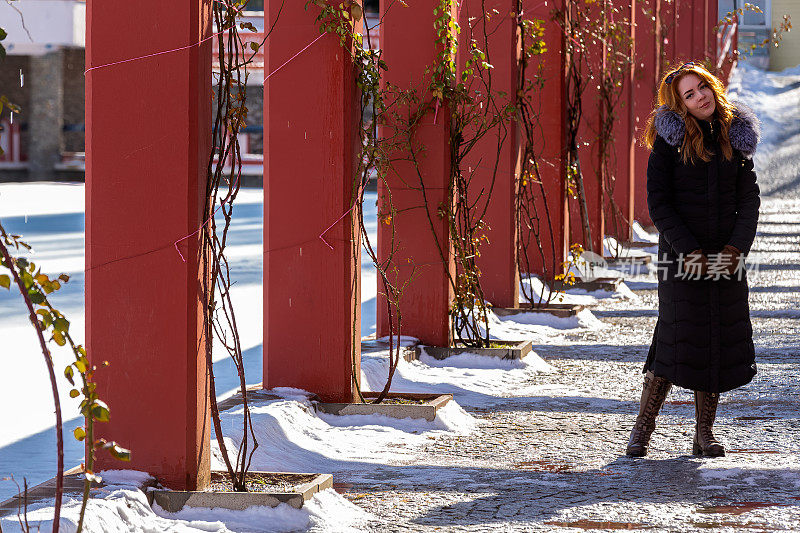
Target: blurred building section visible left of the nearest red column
43,74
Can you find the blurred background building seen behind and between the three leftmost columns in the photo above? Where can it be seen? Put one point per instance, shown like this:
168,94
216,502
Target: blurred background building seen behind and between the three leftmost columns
44,74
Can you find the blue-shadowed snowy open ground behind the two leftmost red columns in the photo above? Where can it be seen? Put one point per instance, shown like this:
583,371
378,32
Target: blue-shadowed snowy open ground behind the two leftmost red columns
50,218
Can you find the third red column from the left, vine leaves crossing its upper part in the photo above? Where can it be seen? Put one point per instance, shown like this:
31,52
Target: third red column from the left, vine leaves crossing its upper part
409,47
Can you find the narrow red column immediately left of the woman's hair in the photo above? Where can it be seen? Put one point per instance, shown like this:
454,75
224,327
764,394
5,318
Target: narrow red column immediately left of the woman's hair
643,99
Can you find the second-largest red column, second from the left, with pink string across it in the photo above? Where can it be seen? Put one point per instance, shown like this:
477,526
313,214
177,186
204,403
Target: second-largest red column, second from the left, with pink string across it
311,287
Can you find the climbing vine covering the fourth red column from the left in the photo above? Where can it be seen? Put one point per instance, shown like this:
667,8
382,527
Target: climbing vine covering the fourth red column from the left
477,110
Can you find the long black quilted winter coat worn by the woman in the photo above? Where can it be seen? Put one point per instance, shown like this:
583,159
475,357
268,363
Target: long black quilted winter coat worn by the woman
703,339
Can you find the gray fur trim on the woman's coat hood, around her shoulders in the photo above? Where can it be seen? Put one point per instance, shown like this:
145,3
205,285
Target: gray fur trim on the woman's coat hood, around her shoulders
744,133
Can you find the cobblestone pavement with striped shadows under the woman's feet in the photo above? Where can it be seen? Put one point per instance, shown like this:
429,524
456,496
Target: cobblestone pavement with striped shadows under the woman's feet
554,458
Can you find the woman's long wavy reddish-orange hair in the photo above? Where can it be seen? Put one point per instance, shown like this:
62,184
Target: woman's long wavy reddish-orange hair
693,147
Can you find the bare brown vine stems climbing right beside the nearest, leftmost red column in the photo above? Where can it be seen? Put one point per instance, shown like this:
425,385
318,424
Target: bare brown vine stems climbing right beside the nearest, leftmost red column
222,187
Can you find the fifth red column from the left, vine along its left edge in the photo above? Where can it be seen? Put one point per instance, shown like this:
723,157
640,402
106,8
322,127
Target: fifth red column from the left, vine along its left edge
551,204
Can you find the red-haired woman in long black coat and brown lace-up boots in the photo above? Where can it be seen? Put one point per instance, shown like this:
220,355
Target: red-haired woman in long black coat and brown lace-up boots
703,199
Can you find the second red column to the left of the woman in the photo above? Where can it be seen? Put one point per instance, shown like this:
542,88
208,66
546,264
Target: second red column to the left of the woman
618,221
